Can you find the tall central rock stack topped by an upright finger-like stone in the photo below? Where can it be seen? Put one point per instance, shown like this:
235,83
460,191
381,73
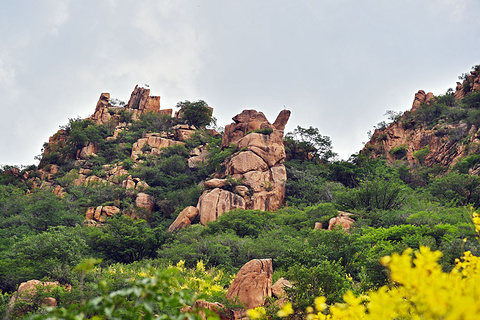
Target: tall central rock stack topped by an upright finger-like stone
257,170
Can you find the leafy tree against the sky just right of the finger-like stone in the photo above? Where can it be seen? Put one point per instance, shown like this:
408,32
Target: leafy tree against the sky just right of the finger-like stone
308,144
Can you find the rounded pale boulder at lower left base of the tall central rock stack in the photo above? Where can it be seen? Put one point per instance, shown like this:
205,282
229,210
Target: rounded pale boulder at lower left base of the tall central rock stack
214,202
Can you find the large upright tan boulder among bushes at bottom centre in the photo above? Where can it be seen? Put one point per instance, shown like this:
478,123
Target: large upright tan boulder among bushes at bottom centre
252,284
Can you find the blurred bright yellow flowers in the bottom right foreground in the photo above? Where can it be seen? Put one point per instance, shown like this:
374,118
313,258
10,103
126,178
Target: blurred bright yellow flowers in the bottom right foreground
419,290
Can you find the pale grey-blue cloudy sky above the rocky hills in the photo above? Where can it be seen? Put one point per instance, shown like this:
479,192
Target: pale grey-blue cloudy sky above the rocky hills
338,65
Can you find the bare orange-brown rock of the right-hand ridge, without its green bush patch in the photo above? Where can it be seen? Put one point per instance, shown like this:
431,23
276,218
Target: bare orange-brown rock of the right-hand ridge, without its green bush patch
443,143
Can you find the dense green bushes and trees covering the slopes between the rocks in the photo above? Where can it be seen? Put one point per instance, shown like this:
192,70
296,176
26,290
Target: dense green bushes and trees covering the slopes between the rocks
395,208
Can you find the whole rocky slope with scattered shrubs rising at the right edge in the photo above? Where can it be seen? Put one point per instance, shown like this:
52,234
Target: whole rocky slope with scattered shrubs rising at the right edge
439,130
